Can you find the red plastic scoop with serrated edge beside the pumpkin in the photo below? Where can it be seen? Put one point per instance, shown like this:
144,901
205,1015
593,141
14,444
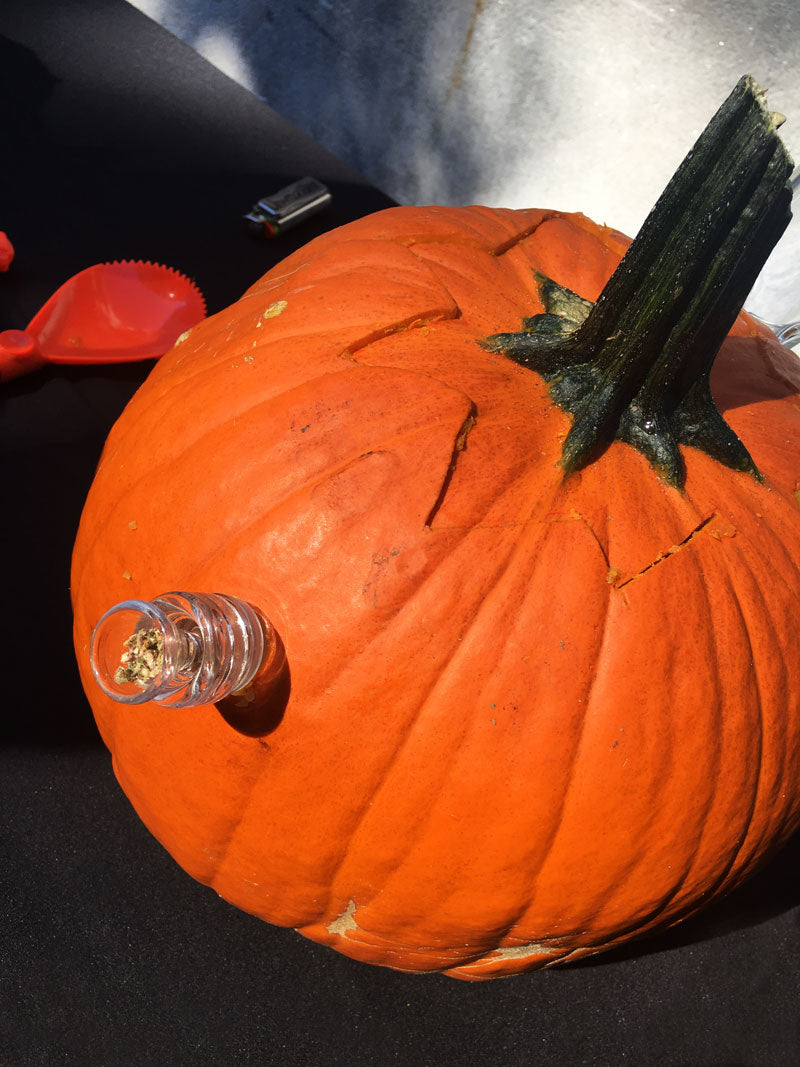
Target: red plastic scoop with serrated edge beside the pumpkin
111,313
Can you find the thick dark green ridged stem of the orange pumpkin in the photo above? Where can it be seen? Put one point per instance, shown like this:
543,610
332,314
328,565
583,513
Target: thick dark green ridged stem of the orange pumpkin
636,365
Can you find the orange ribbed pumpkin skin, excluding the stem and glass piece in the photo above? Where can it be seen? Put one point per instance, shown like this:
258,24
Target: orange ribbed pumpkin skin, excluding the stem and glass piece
531,718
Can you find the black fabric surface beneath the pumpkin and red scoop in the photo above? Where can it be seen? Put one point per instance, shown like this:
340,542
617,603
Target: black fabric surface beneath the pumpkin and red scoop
119,142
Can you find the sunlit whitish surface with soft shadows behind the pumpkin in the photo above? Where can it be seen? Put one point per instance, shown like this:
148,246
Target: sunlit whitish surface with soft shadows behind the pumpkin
580,105
